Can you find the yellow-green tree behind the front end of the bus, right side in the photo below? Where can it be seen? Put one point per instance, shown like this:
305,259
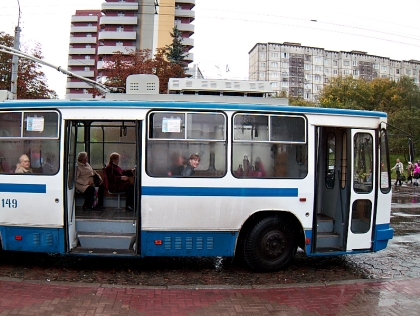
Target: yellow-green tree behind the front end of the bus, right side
400,100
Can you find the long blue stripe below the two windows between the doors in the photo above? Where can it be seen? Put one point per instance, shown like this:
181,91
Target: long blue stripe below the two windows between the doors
210,191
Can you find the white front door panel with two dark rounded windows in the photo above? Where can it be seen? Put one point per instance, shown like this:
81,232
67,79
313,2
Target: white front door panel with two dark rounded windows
362,196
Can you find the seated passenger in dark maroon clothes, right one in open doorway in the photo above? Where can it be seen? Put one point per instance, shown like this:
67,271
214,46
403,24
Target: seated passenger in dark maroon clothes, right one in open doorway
118,180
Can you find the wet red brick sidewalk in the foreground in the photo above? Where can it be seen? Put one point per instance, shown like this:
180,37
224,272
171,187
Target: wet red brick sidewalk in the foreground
363,297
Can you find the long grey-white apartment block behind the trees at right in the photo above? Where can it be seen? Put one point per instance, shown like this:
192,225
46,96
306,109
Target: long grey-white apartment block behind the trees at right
301,71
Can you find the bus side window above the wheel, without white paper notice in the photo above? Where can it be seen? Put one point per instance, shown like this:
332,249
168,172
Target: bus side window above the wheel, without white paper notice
269,146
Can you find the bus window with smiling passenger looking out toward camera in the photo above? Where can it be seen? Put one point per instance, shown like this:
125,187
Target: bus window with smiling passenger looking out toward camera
174,136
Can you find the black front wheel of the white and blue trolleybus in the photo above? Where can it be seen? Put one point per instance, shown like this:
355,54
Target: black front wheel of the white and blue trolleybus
270,245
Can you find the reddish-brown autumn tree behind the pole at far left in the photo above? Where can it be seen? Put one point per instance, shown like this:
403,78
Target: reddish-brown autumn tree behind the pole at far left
32,83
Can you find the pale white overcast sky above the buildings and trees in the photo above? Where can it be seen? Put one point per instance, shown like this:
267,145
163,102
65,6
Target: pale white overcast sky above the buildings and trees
225,31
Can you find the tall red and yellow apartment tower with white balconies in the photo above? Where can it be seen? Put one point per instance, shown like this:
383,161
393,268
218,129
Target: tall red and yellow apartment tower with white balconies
123,26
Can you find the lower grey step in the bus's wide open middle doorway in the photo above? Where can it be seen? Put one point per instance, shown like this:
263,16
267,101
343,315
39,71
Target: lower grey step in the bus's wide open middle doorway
105,240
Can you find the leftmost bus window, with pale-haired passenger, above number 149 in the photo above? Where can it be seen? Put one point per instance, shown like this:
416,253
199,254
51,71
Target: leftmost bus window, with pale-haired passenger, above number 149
29,142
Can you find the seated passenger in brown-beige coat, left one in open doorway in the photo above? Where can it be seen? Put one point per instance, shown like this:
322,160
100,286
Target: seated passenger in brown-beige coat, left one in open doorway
85,183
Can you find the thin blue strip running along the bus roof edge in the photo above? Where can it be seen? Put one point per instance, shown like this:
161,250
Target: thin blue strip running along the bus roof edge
191,105
